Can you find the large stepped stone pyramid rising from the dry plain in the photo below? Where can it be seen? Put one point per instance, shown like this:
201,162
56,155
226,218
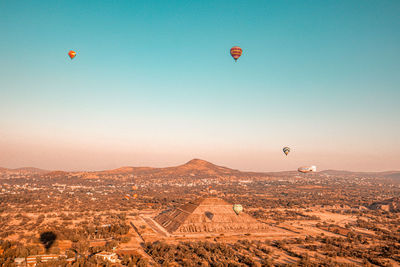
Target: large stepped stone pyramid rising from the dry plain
207,215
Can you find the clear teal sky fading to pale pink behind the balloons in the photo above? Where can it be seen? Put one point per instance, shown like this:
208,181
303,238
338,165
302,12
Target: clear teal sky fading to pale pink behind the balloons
153,83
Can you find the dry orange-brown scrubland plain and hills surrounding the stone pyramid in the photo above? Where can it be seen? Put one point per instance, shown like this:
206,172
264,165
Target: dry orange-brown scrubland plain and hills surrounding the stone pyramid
322,219
